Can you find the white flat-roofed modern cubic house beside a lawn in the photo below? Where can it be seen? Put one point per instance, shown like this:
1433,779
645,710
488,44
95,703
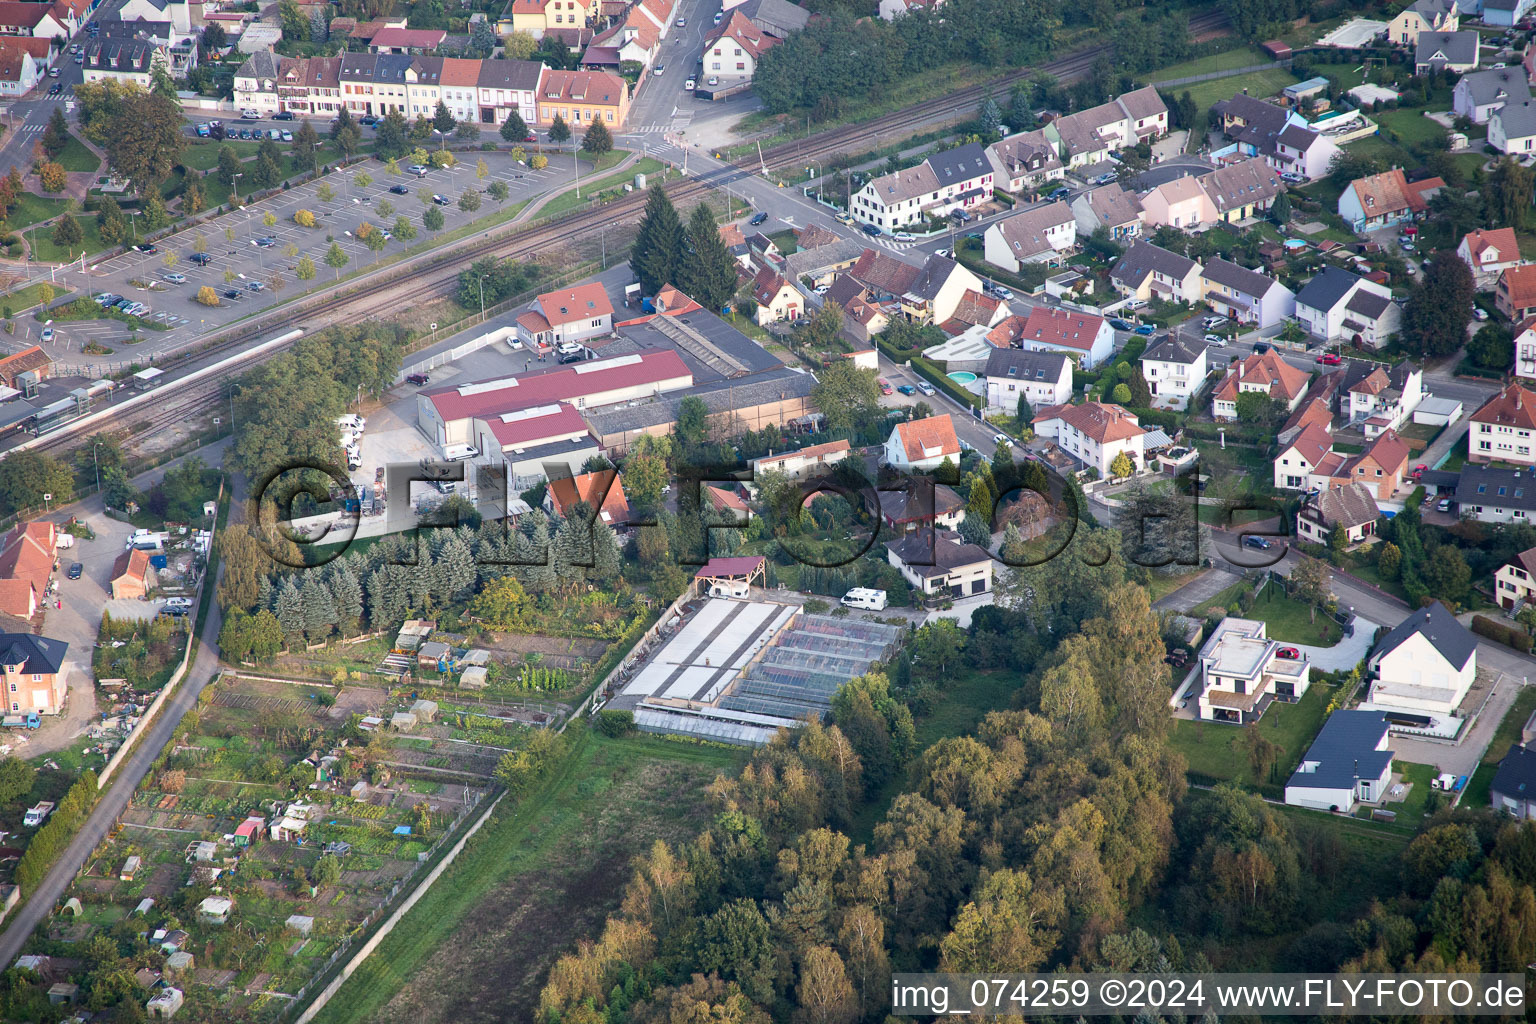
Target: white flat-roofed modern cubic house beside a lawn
1242,673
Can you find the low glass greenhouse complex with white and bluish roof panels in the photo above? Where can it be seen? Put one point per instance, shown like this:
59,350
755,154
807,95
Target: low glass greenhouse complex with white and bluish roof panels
738,672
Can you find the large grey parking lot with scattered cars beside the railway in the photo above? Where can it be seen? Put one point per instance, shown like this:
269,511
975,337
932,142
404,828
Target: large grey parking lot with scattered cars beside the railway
231,248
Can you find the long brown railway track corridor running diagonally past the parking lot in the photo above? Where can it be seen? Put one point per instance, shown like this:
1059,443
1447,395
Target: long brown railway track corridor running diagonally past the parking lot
434,276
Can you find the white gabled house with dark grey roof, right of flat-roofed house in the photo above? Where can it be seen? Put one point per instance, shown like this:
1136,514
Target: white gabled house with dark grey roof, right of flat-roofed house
1426,664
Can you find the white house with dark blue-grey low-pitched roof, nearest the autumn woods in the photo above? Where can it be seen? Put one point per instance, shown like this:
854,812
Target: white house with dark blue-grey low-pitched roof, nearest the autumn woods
1348,764
